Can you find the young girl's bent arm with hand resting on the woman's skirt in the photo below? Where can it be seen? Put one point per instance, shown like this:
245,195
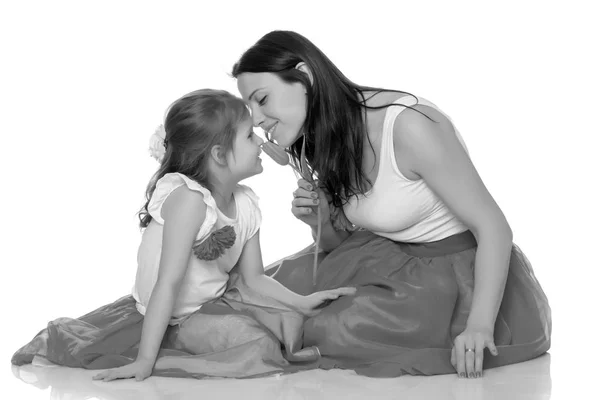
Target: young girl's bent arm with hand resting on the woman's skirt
252,271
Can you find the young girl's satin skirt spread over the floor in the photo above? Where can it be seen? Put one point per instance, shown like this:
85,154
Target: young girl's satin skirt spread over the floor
241,335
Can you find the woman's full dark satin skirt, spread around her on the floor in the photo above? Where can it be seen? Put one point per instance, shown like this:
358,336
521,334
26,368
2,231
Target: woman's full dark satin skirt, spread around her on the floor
412,301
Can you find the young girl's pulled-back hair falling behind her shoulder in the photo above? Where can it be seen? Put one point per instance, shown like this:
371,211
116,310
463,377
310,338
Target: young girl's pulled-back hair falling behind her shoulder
194,124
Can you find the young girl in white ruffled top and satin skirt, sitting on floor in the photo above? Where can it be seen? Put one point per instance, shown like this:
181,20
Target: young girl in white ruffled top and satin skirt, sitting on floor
199,223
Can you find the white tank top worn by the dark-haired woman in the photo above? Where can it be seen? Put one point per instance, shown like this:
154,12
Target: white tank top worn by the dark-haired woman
399,208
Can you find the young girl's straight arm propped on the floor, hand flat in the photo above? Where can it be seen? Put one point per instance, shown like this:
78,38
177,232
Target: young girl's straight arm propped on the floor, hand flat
183,211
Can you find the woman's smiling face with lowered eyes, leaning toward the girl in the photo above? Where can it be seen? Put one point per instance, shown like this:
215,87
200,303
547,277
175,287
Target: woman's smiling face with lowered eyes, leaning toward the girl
279,108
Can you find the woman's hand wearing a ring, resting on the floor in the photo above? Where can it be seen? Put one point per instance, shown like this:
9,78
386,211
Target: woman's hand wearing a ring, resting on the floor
467,353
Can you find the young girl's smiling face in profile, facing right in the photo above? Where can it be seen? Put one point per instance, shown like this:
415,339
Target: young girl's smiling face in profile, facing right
243,159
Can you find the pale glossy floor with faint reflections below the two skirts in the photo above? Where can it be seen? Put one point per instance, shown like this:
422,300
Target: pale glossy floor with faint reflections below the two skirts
529,380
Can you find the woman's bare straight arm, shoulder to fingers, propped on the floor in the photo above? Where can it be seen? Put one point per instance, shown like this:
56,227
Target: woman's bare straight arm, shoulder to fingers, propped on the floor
432,151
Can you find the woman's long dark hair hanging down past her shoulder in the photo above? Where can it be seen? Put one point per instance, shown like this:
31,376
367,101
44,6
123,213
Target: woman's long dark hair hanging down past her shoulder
334,128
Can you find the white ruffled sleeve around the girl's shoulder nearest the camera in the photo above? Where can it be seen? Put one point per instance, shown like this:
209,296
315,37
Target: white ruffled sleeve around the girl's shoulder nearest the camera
167,184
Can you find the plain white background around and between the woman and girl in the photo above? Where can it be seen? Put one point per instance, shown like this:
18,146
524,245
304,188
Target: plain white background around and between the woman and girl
84,84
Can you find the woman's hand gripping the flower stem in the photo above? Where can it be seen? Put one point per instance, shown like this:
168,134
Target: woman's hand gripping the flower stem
306,200
